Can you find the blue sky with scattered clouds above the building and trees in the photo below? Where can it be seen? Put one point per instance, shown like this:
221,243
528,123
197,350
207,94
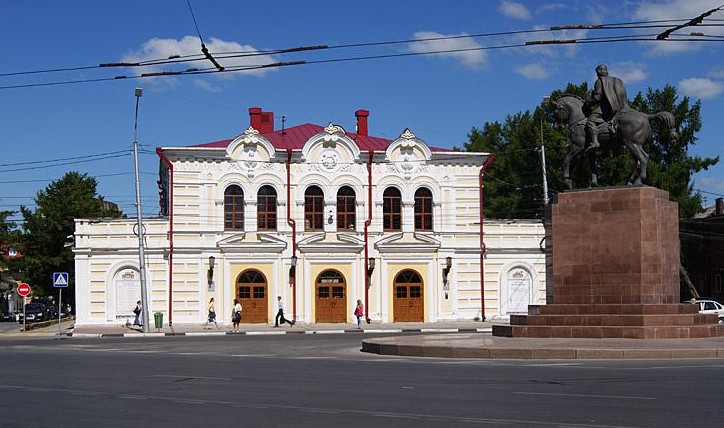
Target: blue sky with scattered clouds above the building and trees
439,97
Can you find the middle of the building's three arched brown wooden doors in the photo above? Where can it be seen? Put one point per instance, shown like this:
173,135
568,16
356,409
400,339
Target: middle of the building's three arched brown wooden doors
330,297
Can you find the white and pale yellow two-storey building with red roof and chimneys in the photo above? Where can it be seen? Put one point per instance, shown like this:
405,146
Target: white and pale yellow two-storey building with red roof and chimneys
322,217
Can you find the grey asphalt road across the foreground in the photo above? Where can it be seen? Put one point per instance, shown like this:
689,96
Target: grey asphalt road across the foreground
324,381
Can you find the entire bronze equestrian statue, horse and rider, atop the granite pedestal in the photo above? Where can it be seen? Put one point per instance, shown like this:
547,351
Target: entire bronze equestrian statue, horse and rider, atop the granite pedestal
605,121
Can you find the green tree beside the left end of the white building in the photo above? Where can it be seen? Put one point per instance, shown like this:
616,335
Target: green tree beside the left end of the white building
47,228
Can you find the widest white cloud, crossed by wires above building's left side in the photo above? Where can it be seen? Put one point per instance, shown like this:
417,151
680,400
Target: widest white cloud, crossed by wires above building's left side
159,49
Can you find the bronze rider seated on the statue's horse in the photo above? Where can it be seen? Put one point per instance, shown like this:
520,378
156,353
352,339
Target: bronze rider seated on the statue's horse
605,101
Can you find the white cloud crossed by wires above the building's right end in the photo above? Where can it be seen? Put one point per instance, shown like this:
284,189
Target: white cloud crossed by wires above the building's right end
466,47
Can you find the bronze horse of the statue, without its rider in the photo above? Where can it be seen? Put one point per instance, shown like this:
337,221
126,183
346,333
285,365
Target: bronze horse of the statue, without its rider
633,131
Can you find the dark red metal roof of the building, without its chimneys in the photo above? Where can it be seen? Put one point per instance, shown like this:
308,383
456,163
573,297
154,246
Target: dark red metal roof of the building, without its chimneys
295,137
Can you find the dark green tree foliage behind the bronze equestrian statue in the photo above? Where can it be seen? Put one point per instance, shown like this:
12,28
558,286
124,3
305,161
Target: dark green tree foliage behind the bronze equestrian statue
514,181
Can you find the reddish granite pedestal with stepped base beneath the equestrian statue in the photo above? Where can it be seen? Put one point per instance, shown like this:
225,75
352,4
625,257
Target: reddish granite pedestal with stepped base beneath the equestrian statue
615,271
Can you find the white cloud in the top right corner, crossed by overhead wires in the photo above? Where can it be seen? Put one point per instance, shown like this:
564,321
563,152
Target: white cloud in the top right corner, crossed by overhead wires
677,10
